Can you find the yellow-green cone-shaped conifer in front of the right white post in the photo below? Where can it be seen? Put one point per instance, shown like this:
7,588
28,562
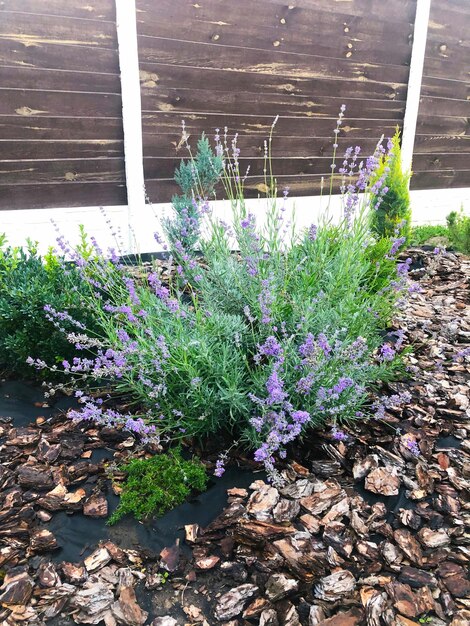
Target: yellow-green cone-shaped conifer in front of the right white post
391,201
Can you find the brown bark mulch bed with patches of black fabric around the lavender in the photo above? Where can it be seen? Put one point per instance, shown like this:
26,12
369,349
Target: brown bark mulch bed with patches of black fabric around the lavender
368,528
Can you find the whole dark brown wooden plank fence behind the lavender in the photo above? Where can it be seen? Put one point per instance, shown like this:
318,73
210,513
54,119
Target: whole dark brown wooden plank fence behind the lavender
217,63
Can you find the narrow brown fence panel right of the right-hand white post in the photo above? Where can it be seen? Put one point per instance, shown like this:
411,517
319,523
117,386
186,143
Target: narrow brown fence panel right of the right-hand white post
442,146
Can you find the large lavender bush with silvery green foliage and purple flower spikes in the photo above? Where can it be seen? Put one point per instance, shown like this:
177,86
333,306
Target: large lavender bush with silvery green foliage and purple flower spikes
256,345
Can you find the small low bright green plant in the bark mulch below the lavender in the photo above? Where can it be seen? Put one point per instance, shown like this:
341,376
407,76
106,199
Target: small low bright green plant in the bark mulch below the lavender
158,484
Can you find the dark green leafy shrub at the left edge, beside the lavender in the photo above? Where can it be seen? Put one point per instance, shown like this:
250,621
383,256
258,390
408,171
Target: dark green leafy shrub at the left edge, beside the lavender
28,283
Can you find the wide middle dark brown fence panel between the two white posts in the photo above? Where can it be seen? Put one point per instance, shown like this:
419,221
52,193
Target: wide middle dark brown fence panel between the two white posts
239,64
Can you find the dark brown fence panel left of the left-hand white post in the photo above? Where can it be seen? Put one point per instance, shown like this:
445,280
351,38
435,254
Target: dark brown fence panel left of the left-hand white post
61,138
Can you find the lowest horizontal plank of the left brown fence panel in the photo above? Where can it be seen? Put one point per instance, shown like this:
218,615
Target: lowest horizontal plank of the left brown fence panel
61,195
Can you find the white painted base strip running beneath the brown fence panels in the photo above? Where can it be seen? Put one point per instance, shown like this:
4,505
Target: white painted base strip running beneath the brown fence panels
429,207
